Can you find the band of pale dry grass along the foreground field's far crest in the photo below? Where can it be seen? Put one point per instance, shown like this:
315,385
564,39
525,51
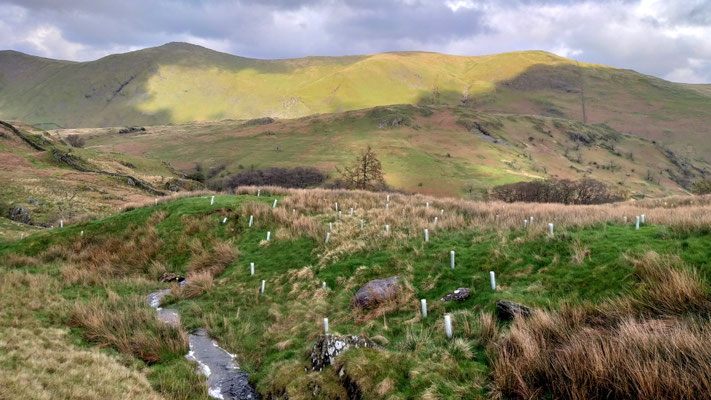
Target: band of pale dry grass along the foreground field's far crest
408,216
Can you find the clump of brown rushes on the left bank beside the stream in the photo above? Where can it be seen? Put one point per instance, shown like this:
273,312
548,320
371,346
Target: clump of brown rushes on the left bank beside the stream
128,325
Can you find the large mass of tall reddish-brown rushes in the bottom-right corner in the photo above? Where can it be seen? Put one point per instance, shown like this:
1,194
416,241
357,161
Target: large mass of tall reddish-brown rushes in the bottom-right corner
649,345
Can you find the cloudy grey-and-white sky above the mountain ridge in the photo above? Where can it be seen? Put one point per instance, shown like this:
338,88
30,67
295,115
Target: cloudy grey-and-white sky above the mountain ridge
669,39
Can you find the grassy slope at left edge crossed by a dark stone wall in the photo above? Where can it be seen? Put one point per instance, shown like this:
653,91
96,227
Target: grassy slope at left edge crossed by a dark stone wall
53,181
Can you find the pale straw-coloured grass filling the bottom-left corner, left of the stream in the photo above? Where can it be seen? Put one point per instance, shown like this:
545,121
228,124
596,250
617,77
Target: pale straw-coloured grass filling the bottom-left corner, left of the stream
40,362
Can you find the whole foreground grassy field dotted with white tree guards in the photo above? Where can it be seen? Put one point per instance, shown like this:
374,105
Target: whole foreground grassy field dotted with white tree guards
597,276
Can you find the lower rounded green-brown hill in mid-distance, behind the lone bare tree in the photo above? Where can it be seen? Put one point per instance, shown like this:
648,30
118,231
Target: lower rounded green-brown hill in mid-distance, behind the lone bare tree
433,150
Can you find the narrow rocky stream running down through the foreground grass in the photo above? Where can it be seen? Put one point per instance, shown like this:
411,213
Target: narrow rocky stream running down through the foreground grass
224,379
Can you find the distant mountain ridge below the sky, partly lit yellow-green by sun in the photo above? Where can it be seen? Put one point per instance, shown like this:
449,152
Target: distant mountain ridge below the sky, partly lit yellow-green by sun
179,82
